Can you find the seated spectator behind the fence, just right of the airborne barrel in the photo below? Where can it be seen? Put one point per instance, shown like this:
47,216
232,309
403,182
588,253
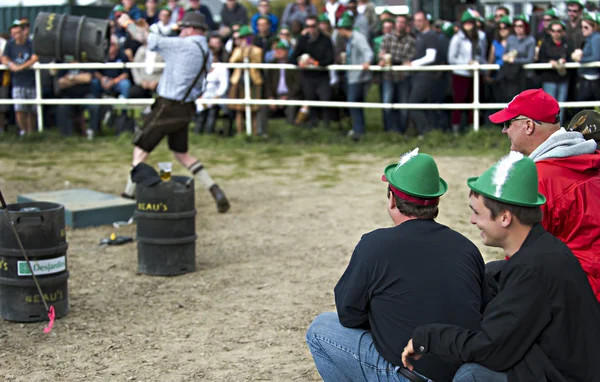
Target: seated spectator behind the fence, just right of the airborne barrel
112,81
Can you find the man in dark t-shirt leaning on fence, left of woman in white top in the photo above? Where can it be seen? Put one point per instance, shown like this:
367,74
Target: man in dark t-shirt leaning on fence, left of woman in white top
423,82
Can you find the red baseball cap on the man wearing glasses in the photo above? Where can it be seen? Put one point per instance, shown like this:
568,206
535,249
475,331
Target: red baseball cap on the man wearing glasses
534,103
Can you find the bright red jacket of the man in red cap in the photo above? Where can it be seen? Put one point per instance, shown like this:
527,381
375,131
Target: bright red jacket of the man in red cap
572,211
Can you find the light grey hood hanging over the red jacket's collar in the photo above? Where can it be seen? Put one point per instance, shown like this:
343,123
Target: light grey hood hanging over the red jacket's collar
563,144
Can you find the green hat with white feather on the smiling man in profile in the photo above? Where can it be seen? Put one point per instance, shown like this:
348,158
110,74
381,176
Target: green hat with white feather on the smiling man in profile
513,180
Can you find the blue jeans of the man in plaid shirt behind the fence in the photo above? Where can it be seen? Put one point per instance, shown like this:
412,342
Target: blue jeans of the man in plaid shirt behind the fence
395,92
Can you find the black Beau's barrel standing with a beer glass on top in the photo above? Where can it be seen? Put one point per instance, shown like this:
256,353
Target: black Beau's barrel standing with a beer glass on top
166,227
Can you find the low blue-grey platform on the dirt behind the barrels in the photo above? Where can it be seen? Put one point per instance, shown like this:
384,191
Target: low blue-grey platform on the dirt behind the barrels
86,208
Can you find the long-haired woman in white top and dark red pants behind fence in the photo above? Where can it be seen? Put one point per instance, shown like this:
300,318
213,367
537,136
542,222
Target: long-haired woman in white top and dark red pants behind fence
467,46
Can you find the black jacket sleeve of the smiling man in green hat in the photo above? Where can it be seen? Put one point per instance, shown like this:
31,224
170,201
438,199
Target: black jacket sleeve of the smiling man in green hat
511,325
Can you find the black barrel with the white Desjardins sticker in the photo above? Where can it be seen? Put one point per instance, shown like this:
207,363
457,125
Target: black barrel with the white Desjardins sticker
41,228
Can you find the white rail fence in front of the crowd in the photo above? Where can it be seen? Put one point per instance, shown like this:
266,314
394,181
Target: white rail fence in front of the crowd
476,106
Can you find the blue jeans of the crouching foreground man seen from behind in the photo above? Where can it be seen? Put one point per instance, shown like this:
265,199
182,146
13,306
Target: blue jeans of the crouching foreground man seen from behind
345,354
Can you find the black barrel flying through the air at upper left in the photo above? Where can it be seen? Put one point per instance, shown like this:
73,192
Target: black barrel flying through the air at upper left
58,35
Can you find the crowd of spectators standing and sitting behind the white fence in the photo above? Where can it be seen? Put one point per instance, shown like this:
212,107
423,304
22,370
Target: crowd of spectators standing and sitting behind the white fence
350,33
